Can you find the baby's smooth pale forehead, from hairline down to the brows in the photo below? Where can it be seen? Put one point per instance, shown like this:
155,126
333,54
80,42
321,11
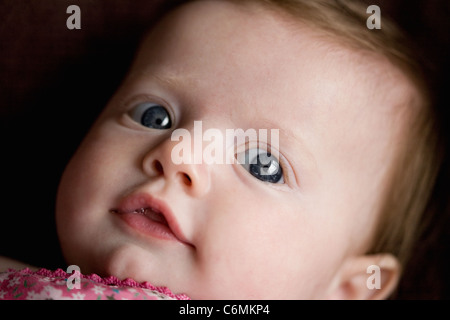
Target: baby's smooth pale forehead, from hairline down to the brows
246,62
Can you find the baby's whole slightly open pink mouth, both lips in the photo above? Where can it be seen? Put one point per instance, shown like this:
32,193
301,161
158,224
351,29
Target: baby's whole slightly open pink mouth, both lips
149,217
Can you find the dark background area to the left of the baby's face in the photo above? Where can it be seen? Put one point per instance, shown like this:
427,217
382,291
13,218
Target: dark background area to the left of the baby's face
54,82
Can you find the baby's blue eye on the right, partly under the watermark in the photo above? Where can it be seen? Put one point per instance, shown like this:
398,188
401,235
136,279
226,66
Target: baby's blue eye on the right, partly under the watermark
262,165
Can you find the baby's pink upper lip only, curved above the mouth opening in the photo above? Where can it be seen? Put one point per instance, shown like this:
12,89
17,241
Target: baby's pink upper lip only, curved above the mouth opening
136,202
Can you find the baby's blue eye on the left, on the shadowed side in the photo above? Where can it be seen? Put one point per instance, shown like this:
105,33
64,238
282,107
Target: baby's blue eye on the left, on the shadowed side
151,115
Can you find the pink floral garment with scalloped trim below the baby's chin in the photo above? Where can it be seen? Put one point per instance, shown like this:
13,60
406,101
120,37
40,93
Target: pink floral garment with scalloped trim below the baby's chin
55,285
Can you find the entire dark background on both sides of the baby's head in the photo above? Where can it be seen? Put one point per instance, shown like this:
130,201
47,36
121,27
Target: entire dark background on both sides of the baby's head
55,81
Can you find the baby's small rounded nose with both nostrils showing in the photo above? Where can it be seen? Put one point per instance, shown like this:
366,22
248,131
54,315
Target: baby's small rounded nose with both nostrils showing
192,177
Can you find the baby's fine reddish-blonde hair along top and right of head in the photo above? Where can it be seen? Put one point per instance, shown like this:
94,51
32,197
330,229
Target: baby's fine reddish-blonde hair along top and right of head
406,201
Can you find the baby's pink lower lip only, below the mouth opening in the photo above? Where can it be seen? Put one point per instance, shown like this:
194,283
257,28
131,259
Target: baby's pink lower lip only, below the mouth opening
147,226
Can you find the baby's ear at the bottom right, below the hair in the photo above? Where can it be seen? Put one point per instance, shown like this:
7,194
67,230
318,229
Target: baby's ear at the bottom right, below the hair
367,277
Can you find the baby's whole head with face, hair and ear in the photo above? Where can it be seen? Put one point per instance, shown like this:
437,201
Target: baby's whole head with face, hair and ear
337,188
